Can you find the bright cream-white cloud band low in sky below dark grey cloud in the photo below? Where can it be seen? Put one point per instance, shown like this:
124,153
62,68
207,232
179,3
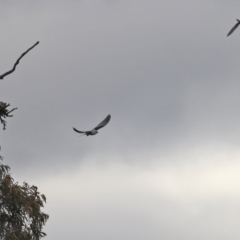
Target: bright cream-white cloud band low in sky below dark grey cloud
117,200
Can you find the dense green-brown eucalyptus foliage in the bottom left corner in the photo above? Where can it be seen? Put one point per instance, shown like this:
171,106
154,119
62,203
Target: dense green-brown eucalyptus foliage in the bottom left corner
20,209
